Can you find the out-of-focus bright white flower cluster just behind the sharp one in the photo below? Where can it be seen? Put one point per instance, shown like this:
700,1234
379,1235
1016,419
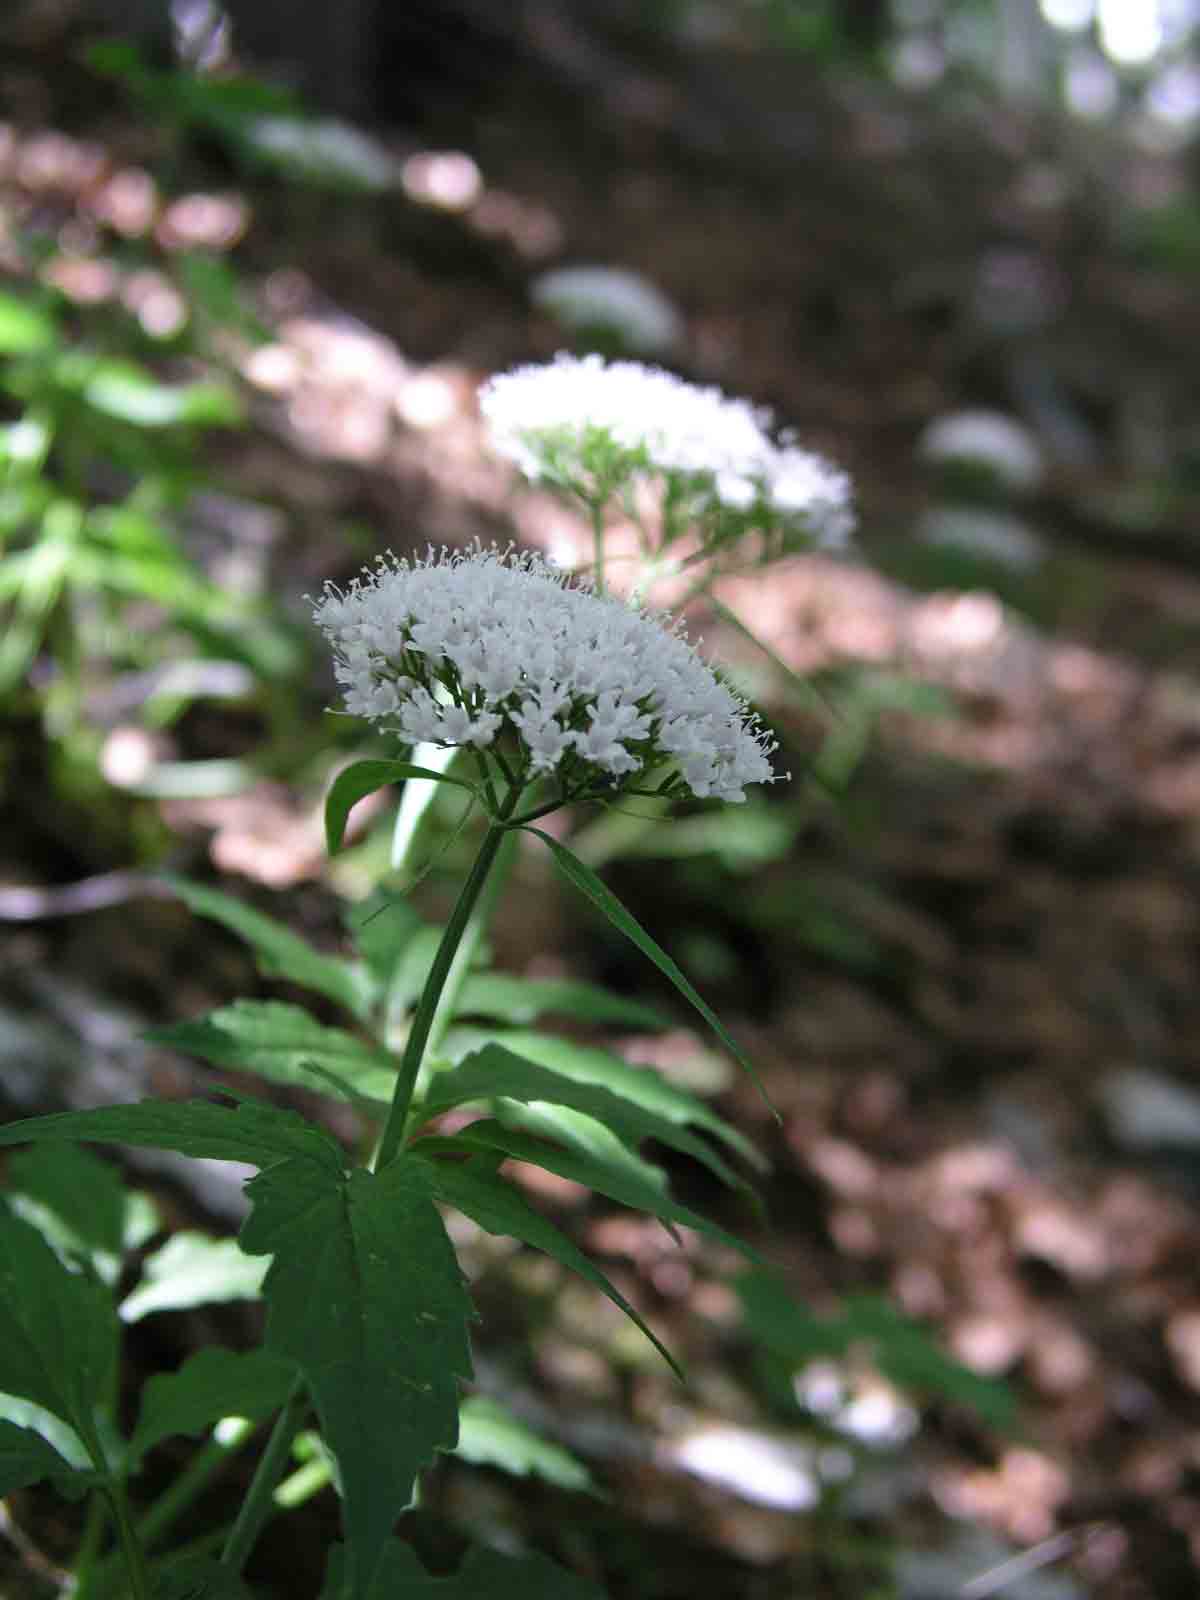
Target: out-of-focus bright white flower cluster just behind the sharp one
577,414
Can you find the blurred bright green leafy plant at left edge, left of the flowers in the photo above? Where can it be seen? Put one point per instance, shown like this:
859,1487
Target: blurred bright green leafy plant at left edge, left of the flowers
97,473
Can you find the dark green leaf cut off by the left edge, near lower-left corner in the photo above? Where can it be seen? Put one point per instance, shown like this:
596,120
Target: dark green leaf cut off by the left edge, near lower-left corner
58,1330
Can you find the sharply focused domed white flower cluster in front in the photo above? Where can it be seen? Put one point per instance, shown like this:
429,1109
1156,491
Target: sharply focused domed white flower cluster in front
494,650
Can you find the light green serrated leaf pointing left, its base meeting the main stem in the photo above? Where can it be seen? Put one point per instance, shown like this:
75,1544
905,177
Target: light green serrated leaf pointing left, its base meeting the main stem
282,1042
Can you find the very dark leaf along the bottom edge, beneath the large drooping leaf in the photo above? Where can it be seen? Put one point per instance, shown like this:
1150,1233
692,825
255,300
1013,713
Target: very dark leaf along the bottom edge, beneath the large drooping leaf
486,1575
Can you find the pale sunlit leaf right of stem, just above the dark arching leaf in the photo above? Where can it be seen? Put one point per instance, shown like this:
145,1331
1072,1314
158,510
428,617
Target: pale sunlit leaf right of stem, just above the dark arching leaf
641,1086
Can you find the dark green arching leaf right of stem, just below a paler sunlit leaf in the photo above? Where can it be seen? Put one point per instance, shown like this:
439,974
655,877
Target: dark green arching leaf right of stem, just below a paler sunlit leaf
497,1073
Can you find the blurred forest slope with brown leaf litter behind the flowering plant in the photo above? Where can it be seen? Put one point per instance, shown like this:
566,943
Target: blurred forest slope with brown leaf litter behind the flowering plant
255,262
